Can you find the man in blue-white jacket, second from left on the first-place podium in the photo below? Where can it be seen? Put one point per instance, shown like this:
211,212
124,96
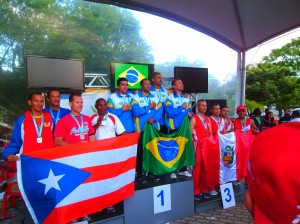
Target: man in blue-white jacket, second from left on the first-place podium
146,108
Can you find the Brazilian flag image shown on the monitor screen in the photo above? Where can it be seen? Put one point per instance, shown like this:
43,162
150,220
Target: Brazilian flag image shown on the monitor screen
133,73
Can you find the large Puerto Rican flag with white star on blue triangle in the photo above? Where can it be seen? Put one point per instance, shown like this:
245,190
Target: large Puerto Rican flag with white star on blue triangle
64,183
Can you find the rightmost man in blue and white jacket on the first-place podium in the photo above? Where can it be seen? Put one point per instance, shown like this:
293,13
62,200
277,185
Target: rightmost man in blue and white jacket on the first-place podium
177,107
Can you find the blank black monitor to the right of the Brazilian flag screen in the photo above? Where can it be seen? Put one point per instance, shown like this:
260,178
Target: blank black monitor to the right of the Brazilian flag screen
195,80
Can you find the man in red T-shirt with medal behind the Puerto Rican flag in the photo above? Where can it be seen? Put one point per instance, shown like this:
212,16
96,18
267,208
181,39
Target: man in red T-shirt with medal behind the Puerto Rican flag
74,127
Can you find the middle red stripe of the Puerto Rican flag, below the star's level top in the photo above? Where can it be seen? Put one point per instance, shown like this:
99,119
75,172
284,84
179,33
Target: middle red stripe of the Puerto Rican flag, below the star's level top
109,170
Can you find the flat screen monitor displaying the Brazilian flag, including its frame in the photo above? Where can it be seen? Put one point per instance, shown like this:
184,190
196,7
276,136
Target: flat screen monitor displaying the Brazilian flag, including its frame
133,72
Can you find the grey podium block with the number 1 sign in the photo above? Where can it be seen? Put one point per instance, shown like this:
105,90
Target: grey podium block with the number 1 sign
160,204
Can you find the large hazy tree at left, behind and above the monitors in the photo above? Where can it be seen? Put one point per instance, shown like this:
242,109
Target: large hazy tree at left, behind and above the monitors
97,33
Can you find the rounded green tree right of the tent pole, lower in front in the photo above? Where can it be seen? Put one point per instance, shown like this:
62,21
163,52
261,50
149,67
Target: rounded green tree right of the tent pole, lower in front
270,84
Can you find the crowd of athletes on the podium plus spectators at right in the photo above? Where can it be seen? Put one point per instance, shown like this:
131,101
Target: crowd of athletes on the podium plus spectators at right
122,113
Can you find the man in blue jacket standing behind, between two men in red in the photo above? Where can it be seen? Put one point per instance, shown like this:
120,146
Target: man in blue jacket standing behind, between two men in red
57,112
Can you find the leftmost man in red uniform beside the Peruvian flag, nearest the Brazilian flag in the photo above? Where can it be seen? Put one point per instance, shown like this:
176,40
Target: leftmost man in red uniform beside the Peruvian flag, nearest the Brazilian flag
207,156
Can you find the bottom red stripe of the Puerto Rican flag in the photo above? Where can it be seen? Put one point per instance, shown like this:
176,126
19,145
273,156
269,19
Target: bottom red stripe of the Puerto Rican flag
71,212
